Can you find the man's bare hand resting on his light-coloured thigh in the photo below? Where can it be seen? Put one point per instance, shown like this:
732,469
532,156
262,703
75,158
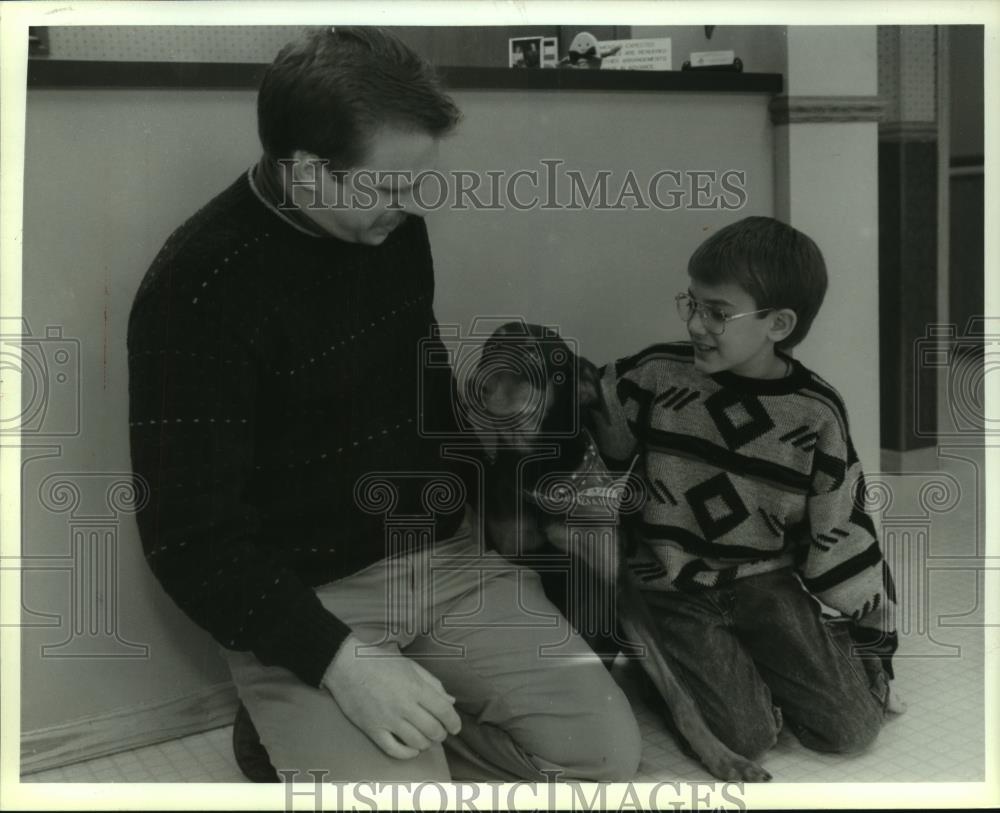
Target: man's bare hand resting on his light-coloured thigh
397,703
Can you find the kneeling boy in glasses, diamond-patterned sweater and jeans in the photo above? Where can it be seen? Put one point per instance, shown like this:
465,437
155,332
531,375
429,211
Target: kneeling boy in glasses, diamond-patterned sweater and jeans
753,484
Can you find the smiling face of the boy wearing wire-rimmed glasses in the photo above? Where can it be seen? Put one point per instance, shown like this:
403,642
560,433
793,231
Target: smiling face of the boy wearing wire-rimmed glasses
746,347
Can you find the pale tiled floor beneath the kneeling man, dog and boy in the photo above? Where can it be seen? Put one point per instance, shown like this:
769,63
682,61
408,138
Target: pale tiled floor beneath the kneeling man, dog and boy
939,671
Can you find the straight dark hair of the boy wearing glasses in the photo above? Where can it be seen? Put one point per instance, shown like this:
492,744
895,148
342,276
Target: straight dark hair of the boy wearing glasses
777,265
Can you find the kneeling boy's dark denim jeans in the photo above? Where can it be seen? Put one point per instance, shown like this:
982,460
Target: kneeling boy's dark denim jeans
758,643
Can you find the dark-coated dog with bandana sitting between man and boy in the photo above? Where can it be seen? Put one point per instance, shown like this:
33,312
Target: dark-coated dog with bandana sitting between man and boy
537,402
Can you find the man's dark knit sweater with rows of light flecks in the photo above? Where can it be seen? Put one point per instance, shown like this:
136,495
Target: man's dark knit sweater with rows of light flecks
269,369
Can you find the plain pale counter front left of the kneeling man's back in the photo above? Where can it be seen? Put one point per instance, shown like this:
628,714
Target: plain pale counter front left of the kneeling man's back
108,176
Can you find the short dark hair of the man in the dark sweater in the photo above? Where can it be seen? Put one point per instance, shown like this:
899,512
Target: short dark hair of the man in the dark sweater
328,92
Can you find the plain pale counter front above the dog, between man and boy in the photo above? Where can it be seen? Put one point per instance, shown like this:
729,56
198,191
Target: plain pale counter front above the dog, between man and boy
606,278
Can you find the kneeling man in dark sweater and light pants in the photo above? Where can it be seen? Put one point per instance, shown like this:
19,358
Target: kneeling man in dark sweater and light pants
273,357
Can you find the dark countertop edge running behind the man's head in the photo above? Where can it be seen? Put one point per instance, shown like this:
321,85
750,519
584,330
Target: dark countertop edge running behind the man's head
64,73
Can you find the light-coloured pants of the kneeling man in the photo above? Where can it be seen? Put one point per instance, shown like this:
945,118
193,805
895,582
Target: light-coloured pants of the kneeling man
534,701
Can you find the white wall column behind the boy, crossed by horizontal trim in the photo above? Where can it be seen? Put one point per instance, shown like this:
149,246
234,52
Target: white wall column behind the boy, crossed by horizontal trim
827,185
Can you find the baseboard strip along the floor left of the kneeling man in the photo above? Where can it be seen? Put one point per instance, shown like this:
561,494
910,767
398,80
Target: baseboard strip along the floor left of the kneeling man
128,728
